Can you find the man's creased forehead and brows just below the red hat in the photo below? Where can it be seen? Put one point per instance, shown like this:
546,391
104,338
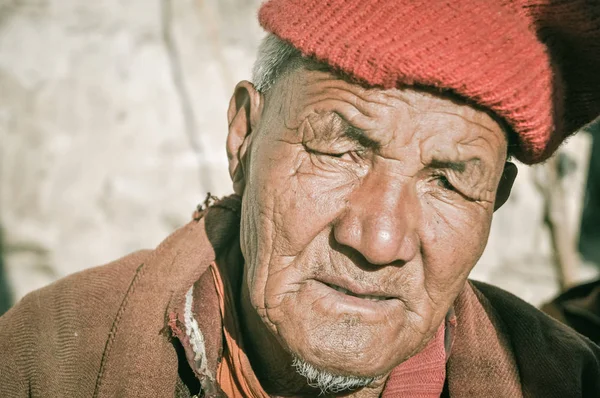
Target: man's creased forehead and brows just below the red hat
388,121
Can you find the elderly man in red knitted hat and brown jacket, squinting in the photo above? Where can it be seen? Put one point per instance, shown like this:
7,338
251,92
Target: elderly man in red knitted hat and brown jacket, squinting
367,160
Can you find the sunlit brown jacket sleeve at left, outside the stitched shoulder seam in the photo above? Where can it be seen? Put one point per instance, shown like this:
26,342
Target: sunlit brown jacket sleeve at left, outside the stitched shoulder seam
60,330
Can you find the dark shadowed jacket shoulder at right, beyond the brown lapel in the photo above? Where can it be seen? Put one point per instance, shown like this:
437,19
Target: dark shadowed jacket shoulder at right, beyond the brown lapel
545,349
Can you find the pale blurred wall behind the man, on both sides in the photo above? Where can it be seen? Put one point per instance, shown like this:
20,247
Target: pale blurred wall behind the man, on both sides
112,129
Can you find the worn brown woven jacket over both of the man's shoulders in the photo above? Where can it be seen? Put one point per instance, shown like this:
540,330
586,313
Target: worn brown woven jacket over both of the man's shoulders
105,332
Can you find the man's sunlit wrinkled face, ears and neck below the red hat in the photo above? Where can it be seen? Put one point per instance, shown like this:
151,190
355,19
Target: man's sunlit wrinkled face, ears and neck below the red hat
386,193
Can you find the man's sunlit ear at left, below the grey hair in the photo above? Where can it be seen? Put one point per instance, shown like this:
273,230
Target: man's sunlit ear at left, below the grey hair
243,115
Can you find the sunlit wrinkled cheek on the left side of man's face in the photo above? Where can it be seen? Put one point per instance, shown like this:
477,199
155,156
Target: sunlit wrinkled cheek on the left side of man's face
288,206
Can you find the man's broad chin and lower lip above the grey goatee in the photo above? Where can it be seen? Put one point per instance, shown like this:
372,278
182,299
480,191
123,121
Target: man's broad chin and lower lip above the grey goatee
343,337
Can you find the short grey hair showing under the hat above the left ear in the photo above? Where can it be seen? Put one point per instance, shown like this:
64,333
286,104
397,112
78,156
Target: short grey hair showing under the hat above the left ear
275,57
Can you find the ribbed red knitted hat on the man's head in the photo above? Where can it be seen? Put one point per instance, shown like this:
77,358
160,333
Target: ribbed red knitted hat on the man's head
536,64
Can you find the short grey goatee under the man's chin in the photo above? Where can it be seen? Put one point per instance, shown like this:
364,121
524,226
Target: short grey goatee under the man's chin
328,382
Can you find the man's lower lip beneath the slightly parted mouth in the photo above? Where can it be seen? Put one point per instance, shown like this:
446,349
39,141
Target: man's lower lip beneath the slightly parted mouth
341,302
